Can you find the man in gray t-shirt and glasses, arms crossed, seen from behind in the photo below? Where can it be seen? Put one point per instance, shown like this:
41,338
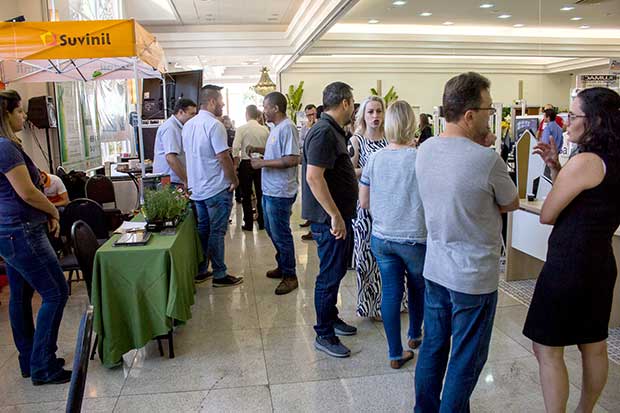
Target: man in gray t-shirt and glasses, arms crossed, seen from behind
464,187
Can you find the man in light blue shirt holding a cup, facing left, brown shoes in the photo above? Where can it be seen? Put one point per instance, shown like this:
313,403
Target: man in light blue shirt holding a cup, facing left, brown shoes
279,182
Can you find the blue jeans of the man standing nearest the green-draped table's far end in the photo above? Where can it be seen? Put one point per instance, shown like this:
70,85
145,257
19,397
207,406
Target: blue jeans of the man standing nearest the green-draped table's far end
213,214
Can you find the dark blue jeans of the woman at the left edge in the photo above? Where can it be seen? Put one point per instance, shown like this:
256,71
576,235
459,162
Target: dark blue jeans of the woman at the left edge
31,264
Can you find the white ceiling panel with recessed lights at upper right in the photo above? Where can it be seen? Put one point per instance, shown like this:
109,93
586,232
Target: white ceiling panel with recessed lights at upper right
602,14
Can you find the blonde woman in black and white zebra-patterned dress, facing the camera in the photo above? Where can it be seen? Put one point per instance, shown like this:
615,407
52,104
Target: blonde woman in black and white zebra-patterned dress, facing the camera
368,138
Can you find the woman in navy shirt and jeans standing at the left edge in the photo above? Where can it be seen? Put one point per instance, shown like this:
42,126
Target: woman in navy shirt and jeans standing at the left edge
31,263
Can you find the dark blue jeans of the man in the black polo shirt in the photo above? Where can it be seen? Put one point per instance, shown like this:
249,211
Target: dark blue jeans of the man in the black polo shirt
333,258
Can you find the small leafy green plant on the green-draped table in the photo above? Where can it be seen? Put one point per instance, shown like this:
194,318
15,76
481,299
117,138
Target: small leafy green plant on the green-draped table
165,204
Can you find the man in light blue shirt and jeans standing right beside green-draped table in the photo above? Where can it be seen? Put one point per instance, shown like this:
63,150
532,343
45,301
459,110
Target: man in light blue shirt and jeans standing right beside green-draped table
212,180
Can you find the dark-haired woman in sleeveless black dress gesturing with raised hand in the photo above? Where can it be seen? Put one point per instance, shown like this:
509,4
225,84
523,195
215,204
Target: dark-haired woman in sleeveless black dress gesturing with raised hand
573,296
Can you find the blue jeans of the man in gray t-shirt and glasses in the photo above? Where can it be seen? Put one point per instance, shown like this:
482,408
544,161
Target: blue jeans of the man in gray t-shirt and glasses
469,320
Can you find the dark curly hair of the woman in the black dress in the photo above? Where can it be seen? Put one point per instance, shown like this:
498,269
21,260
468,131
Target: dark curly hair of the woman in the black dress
602,123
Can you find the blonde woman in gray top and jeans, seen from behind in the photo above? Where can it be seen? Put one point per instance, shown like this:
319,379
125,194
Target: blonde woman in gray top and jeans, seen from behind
389,189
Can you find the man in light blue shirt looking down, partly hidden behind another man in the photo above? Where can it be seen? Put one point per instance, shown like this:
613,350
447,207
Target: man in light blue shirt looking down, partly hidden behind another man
169,155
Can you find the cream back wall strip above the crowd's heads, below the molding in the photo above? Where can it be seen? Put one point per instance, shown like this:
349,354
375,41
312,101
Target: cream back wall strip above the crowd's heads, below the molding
426,89
